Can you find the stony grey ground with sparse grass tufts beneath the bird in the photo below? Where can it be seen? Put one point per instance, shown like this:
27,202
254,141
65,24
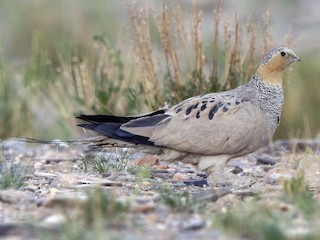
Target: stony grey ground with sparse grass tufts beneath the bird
59,191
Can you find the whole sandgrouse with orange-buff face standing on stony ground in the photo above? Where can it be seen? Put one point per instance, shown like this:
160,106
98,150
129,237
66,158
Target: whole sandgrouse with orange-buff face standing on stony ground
225,124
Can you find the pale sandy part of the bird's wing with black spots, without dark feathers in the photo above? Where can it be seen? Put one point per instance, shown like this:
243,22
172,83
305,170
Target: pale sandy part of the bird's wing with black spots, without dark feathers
212,124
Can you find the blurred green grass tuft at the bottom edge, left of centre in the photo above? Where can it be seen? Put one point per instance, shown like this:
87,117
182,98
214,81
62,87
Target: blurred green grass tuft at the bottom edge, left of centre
101,217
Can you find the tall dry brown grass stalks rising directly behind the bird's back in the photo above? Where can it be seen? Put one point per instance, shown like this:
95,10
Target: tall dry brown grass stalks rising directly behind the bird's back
187,69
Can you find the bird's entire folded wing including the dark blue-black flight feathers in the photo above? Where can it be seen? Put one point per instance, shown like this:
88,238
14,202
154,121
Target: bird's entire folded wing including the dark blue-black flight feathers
217,123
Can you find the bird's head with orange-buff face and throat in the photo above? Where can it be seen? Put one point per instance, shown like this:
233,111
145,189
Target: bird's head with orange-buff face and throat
272,71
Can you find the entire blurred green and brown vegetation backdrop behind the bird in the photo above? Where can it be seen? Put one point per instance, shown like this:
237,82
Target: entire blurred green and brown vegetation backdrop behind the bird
62,58
